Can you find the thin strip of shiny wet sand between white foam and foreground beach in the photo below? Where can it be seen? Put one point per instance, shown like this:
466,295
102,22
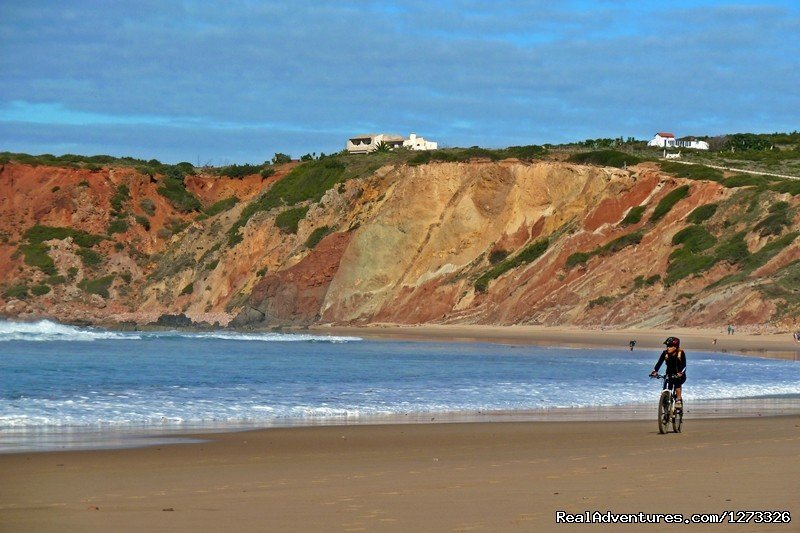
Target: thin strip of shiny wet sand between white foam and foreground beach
90,438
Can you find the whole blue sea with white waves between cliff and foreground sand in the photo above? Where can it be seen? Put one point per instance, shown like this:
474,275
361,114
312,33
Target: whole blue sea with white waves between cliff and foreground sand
69,387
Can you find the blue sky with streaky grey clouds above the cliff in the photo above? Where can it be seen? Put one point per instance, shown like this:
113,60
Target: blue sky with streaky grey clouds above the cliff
212,82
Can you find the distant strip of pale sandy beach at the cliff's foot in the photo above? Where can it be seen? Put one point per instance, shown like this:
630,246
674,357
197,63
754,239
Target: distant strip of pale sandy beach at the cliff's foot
748,341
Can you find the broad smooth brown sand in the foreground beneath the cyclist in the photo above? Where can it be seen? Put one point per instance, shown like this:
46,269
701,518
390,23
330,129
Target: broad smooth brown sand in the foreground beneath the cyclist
502,476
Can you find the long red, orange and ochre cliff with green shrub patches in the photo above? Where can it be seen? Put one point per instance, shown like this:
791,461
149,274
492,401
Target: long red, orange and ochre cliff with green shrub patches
479,241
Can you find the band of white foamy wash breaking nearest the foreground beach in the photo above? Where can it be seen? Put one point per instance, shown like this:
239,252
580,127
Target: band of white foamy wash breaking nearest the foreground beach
269,404
